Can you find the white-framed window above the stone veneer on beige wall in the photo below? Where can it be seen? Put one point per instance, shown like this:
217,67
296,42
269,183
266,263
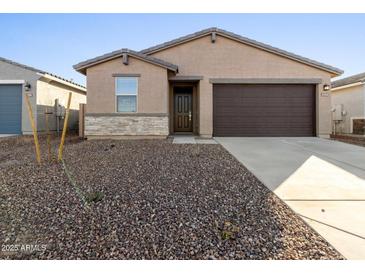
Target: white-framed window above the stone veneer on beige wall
126,92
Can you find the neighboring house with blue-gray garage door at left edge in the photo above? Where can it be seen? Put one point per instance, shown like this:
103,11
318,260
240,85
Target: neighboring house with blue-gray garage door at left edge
18,81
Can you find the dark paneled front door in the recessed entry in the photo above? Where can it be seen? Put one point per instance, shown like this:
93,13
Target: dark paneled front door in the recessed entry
183,107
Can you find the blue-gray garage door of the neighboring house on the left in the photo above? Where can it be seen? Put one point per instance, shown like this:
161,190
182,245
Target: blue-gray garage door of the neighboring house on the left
10,109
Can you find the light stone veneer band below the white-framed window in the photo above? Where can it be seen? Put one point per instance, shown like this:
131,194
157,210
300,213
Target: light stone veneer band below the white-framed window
117,124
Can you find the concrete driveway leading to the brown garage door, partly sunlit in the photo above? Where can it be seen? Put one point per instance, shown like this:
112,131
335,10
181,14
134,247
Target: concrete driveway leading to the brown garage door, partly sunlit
322,180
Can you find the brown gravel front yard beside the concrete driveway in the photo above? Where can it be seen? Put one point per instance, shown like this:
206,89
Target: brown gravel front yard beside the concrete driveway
158,201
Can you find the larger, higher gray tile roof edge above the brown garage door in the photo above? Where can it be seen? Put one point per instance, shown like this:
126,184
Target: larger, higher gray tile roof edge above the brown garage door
244,40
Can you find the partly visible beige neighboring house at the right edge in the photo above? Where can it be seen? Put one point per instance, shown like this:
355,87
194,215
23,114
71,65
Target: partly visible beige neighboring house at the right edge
348,101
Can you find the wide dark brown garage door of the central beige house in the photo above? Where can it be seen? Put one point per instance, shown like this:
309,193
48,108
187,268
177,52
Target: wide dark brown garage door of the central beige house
263,110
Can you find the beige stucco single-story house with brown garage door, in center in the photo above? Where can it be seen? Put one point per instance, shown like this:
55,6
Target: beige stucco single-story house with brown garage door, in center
210,83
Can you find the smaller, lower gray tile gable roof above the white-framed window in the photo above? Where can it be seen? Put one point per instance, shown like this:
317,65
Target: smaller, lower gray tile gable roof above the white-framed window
114,54
